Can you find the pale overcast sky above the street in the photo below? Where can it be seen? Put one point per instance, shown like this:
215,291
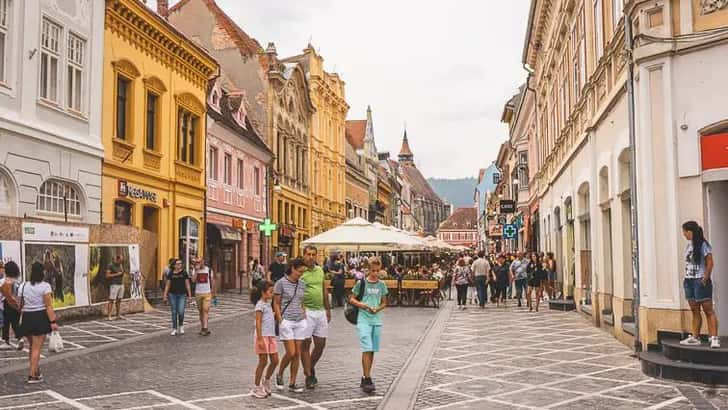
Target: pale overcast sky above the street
444,68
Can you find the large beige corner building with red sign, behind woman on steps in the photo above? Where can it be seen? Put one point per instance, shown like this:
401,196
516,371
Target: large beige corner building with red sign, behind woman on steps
580,74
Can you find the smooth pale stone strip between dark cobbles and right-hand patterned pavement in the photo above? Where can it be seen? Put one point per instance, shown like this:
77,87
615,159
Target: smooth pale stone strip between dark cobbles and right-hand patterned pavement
402,393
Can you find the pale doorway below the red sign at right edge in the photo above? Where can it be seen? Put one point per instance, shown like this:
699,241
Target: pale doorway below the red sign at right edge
718,237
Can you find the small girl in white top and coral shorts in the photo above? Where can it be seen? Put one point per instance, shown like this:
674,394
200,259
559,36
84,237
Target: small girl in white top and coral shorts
266,346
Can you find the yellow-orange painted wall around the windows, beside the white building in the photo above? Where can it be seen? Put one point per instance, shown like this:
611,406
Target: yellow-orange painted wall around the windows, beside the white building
180,78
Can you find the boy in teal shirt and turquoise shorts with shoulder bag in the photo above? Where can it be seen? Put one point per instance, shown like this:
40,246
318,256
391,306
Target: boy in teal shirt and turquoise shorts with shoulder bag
369,322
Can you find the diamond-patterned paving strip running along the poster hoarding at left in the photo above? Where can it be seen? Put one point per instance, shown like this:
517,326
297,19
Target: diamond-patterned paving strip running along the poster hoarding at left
96,332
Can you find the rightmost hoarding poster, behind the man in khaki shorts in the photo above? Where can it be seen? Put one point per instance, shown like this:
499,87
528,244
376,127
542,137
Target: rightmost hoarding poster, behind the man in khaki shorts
101,257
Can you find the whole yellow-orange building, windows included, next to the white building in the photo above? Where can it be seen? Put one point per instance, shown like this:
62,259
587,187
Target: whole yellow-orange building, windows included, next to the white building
155,82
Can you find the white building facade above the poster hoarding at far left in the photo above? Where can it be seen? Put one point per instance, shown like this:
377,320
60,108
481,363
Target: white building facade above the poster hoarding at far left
50,108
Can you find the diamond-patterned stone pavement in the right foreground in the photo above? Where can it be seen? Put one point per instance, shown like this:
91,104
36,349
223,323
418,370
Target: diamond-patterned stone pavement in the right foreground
510,358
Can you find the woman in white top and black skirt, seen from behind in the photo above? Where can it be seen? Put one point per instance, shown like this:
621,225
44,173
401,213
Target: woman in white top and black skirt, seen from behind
38,318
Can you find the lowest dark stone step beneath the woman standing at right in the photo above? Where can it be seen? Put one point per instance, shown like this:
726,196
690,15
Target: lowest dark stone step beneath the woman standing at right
658,366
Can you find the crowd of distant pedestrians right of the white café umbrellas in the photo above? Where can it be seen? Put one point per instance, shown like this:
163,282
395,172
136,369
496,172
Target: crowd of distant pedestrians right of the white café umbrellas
499,274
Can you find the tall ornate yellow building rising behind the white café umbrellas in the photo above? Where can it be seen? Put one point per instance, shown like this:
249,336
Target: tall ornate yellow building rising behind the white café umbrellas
326,148
